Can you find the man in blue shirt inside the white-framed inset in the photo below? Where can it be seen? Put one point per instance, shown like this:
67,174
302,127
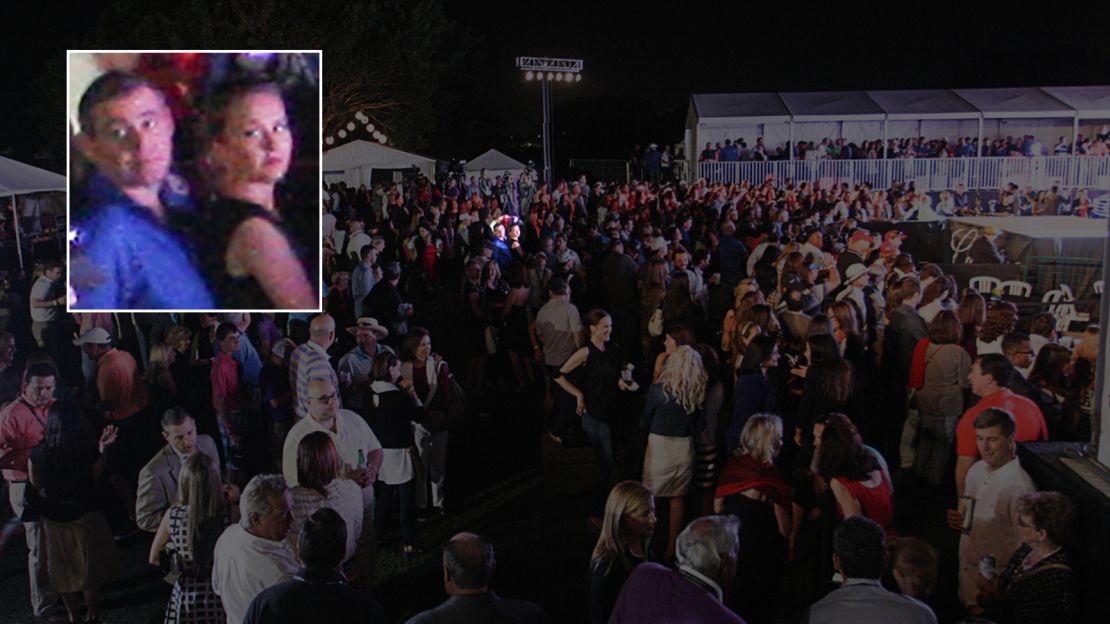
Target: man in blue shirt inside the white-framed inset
126,256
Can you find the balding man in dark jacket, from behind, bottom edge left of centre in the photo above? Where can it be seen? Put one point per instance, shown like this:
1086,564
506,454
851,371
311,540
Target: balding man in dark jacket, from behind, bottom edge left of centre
468,566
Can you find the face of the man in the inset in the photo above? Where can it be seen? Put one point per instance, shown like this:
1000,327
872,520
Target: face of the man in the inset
132,139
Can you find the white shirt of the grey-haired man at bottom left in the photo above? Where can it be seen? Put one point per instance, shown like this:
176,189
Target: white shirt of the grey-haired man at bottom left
245,566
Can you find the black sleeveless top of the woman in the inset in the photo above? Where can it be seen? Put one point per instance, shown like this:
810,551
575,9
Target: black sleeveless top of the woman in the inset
224,217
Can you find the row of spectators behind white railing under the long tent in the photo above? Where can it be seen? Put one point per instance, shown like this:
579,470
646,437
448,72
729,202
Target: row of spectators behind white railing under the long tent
739,150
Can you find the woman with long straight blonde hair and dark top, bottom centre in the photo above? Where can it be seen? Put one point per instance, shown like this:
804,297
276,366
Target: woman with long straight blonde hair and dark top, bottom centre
628,529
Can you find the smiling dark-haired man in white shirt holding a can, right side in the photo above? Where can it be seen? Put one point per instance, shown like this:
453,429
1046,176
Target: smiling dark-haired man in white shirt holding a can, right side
990,504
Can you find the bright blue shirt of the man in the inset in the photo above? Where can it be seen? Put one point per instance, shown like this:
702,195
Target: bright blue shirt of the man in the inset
124,259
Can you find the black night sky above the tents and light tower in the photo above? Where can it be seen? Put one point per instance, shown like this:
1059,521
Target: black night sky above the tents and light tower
644,59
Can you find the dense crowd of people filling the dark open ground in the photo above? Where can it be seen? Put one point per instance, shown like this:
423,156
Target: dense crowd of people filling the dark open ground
744,357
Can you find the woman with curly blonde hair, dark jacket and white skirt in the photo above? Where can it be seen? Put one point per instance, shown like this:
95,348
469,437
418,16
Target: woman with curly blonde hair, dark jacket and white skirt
671,417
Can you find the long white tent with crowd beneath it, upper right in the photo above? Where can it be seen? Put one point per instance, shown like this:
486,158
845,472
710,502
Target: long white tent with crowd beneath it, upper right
786,119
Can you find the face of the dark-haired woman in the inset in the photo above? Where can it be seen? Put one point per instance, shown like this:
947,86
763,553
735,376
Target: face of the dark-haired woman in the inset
256,145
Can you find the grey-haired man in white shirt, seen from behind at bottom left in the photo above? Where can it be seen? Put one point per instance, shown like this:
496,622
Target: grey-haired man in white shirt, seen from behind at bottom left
253,556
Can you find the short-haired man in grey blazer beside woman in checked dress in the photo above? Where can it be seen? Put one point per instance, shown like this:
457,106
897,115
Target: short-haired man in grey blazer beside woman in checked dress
158,481
